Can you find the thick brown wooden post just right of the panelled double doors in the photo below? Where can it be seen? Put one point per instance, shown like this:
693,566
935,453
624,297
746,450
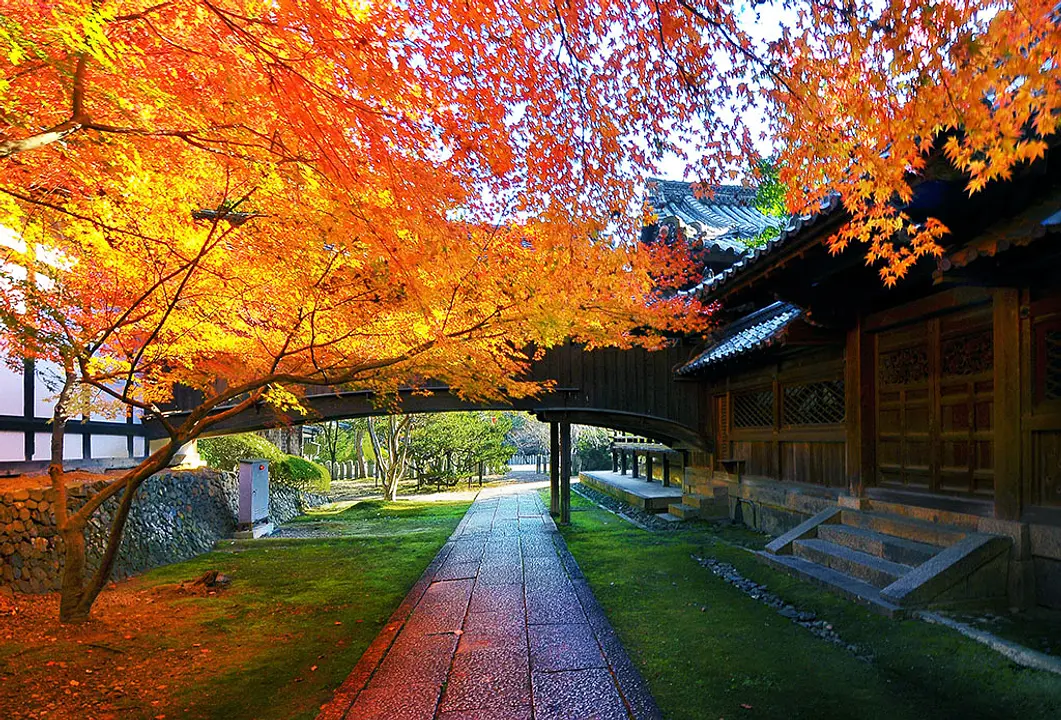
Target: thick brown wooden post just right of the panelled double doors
1006,425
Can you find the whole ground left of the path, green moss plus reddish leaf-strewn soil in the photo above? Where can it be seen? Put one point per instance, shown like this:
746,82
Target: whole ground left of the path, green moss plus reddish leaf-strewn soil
274,644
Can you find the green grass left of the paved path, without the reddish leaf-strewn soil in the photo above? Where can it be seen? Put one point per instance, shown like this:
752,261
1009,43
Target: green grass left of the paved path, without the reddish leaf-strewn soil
300,613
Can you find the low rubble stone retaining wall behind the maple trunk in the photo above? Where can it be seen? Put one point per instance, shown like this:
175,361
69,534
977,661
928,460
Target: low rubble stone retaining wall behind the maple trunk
176,516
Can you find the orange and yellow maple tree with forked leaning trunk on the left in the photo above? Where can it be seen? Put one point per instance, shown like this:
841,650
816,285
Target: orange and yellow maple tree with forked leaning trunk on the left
245,199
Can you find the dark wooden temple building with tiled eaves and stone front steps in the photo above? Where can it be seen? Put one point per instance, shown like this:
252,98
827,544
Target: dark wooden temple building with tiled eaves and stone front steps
898,429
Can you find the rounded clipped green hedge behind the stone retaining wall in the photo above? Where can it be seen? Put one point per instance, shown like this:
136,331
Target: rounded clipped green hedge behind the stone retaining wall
225,453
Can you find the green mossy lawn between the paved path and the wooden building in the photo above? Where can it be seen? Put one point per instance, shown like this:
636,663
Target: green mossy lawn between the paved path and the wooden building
739,659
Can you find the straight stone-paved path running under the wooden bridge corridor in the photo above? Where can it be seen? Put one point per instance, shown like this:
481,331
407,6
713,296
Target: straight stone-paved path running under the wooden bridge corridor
502,626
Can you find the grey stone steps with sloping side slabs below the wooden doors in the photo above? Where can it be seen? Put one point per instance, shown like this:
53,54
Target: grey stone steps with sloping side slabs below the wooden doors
895,558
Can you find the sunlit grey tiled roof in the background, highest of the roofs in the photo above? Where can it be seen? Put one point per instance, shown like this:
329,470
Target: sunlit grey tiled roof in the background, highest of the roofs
725,222
